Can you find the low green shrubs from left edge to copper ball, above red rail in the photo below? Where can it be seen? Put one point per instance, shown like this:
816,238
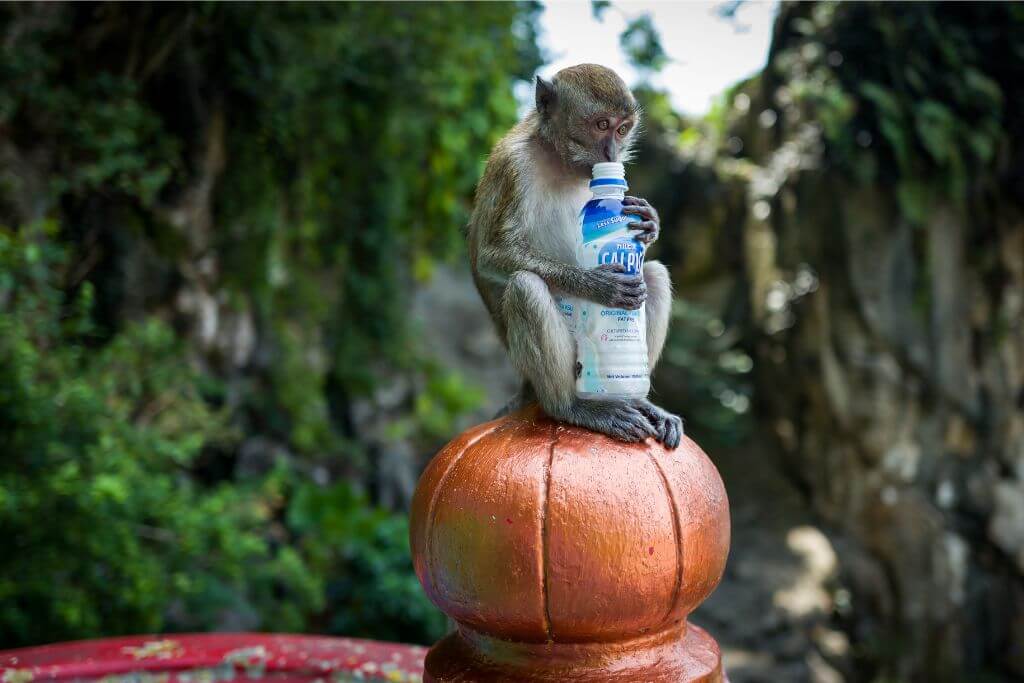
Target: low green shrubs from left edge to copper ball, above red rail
106,532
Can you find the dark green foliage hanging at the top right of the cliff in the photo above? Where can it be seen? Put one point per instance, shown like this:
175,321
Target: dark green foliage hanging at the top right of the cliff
940,113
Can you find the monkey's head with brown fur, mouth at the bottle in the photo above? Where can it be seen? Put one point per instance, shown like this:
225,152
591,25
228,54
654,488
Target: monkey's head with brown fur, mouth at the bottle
589,116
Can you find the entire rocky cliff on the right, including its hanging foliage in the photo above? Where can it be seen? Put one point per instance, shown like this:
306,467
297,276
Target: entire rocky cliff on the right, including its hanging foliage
863,216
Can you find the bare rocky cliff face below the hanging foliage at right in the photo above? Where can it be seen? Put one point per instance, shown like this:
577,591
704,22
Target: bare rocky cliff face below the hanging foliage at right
891,378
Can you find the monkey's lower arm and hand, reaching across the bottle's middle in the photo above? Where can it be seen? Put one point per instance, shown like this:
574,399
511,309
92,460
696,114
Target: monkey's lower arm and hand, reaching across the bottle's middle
501,258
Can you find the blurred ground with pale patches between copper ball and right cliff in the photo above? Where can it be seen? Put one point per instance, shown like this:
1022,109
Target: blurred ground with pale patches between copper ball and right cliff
772,612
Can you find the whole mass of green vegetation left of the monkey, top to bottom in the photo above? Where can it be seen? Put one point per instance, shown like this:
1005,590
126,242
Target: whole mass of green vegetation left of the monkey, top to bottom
302,166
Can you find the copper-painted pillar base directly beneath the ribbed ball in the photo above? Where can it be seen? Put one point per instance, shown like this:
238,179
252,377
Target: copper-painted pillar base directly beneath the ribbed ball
684,654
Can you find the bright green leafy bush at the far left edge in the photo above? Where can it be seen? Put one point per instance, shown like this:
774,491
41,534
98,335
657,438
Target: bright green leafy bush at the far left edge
101,526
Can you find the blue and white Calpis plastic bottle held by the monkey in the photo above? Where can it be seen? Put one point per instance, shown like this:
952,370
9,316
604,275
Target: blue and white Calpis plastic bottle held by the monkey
612,344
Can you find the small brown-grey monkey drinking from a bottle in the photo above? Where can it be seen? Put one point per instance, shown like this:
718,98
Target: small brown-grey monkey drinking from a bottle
522,239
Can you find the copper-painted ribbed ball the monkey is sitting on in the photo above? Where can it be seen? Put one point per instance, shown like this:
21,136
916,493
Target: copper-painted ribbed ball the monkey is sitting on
531,531
